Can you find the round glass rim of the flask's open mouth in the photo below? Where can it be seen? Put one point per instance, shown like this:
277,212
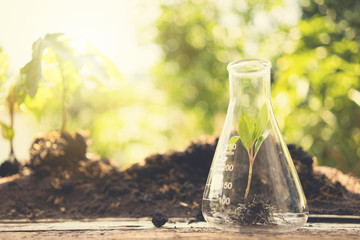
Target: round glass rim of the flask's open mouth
248,66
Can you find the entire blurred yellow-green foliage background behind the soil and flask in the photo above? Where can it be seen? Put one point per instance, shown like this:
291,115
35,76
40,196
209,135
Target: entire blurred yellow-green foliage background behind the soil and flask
314,50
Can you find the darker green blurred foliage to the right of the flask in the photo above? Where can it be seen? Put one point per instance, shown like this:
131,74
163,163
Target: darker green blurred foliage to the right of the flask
317,86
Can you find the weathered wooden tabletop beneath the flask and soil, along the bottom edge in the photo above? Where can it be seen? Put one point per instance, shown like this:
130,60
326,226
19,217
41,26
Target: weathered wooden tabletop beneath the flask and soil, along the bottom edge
121,228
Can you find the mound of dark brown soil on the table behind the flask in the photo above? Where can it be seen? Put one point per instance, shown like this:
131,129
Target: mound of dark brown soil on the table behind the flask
61,181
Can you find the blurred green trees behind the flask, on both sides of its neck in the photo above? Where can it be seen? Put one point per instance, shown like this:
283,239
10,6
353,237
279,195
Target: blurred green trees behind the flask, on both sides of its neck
315,67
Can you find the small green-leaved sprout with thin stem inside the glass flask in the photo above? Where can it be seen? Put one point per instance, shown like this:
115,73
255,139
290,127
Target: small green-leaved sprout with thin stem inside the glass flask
252,135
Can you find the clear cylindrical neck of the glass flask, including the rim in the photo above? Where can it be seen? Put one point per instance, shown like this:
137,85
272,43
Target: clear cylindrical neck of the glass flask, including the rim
249,84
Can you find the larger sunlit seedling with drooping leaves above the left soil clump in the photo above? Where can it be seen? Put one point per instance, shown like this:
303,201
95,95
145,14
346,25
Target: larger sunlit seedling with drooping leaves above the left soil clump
65,64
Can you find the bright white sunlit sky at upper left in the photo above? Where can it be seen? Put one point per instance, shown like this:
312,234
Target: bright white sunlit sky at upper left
110,25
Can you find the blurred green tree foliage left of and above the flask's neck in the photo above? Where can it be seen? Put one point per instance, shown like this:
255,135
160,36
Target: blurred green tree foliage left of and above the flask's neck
198,38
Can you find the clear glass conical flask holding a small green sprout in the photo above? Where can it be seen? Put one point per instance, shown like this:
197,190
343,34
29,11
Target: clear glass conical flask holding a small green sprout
253,185
